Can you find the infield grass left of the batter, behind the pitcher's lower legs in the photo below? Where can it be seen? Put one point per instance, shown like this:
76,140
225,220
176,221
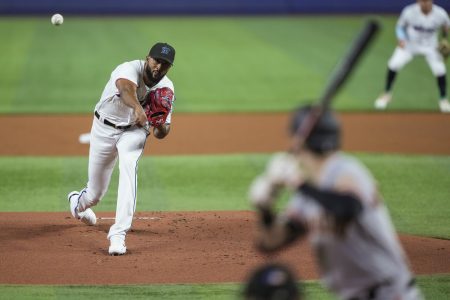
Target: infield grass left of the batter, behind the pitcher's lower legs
165,183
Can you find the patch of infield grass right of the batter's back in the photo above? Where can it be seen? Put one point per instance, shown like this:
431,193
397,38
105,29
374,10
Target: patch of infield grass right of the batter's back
415,189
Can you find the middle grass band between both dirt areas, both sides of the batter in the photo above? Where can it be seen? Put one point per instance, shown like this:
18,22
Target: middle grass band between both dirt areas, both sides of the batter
415,187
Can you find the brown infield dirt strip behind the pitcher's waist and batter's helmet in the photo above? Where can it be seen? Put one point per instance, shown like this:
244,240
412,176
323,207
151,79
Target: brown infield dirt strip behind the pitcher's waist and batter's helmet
417,133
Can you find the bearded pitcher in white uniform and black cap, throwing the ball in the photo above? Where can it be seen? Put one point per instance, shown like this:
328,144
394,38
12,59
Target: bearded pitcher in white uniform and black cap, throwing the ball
137,97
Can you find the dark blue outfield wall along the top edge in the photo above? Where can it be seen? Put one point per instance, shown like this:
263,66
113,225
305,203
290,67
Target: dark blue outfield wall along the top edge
206,7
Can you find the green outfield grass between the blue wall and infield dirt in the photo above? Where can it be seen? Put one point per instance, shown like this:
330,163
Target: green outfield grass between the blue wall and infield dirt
222,64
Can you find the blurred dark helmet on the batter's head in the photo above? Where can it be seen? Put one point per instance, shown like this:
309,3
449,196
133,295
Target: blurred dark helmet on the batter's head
325,135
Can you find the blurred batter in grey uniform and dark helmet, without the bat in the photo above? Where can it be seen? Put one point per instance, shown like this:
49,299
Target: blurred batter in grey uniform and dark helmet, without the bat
336,204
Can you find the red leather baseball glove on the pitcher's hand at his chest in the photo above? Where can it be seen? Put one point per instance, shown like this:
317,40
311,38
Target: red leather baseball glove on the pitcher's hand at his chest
158,106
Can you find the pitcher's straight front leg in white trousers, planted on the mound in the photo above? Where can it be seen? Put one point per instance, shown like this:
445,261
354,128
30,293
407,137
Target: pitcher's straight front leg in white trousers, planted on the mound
130,148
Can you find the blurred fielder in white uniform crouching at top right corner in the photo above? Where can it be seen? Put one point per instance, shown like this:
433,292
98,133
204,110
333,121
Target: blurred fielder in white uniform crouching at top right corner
417,34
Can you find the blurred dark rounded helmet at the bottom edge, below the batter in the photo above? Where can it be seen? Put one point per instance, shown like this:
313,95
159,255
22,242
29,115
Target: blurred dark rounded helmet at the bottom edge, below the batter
271,282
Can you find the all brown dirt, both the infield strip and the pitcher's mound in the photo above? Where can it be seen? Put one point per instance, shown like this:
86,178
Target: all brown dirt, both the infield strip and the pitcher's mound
188,247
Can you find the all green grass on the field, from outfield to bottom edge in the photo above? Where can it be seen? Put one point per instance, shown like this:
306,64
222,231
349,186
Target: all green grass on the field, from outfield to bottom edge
223,64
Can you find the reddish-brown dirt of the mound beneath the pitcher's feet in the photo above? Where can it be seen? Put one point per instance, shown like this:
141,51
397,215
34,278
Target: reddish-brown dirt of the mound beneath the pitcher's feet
163,247
